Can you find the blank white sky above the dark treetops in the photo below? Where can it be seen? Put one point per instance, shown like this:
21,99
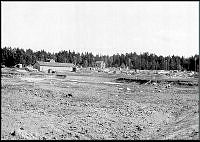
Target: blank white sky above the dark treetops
105,28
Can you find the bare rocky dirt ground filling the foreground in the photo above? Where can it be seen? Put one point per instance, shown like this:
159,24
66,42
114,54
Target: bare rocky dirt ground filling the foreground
89,107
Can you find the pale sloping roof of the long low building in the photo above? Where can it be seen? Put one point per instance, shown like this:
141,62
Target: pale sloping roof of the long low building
55,64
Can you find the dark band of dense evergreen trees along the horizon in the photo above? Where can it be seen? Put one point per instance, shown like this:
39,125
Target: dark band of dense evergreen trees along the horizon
145,61
